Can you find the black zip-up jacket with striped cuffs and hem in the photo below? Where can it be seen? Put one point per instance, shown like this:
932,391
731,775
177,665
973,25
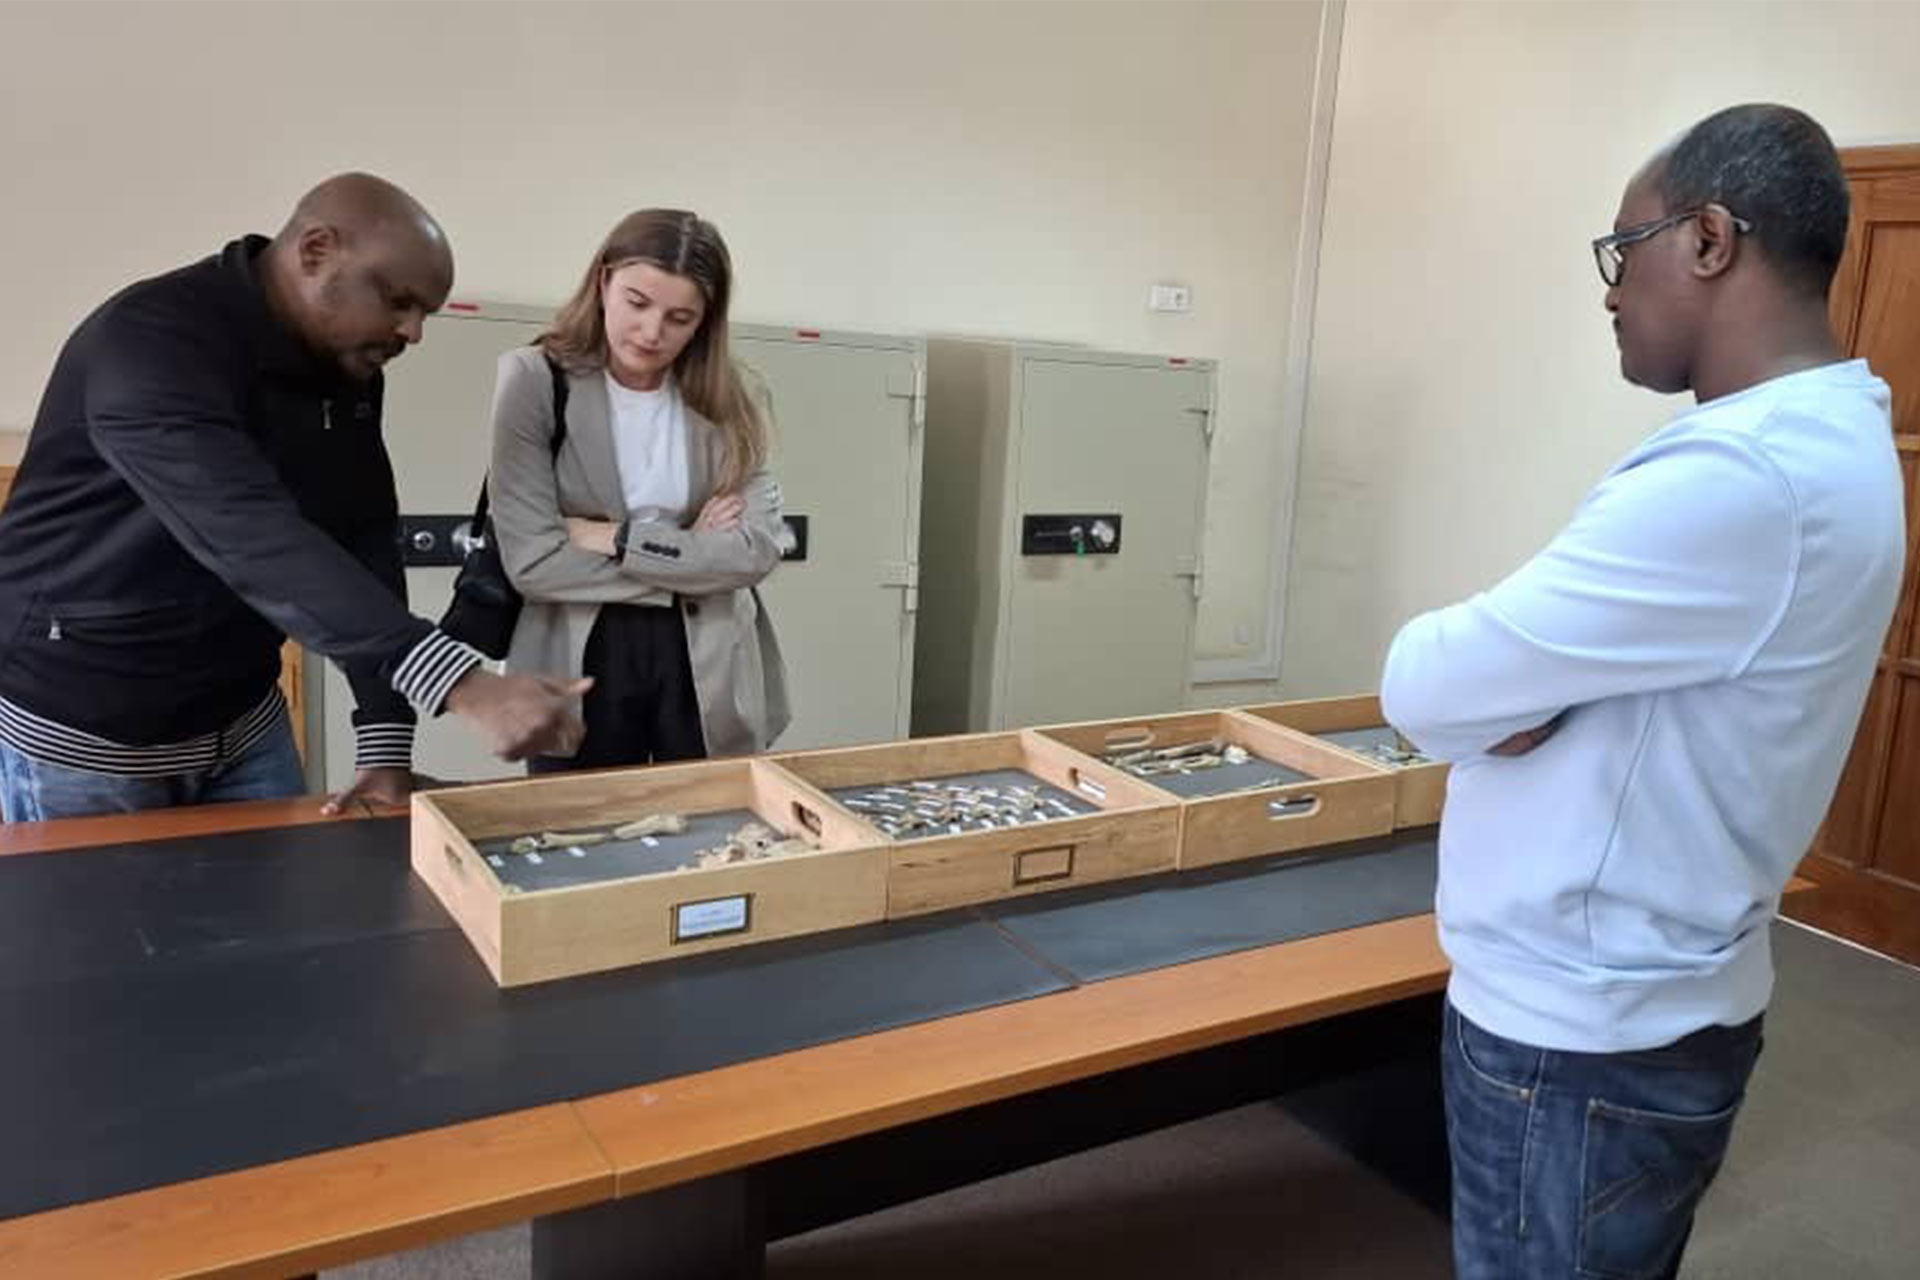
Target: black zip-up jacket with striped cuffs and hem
195,488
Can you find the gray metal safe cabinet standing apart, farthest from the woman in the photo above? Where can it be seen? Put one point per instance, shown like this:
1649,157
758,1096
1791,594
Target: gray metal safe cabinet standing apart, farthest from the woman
1061,536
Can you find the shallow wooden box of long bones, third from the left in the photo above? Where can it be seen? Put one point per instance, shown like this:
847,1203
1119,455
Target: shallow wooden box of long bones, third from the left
1335,799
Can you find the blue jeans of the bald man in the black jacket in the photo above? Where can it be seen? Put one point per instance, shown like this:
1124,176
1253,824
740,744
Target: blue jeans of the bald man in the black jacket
34,790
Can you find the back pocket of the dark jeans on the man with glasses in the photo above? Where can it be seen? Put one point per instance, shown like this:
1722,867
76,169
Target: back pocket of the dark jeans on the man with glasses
1644,1173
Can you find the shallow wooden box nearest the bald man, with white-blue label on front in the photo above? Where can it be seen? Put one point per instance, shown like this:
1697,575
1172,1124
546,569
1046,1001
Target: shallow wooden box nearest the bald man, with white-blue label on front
550,934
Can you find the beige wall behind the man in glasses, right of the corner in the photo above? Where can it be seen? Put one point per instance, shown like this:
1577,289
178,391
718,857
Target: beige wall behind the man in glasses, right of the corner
1464,391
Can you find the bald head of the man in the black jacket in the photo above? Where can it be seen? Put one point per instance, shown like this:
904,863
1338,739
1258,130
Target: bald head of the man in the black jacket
356,272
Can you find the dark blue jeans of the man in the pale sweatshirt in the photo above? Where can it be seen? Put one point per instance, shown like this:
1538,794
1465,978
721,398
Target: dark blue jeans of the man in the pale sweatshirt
1585,1164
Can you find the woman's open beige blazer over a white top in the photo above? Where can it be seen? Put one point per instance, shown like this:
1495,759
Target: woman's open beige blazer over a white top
738,671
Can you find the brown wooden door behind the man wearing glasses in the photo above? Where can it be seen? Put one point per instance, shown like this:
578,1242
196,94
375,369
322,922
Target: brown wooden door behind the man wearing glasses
1867,857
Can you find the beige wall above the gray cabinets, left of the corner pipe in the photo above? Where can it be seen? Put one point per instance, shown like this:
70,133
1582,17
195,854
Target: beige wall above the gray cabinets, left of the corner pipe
1022,170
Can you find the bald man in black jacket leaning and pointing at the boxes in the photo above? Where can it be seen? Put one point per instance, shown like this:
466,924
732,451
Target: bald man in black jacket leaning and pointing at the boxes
204,479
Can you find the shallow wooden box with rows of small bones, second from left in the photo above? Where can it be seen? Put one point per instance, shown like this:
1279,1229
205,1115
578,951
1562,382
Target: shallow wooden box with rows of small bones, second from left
1134,830
